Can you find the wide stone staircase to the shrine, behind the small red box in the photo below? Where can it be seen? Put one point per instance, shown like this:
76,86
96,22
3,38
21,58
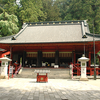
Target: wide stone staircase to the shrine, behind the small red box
55,73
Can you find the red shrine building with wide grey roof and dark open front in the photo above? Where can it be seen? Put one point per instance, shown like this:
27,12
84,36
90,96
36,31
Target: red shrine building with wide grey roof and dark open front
45,44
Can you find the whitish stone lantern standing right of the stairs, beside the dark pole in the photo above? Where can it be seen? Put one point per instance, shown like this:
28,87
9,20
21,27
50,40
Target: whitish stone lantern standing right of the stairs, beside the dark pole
83,61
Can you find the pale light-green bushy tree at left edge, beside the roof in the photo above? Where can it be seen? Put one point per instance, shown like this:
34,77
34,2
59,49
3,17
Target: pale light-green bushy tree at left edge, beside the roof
8,24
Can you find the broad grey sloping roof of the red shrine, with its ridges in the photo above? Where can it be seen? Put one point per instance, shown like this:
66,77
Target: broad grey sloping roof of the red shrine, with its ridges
52,32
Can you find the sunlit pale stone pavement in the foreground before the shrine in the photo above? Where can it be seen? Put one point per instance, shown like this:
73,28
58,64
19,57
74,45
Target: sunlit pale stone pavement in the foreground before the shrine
54,89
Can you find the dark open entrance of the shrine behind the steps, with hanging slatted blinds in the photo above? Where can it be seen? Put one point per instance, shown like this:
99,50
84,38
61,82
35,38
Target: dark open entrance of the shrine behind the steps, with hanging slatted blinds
47,59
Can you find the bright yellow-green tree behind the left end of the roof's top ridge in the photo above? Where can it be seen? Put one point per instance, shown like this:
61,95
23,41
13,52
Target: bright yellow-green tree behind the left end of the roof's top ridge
31,11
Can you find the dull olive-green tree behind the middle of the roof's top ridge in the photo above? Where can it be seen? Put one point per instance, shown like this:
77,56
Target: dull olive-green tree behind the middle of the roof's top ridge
51,9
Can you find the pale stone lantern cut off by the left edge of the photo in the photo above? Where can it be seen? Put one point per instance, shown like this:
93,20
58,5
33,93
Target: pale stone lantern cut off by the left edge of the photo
4,67
